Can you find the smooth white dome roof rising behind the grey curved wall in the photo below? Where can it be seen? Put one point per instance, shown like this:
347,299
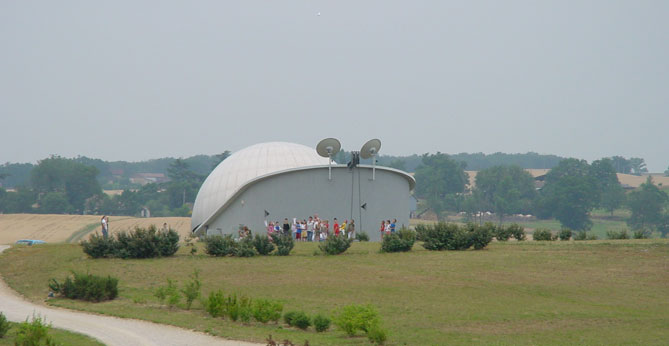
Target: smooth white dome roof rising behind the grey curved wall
245,165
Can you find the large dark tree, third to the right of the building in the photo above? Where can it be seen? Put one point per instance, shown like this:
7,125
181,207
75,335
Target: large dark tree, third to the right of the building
569,194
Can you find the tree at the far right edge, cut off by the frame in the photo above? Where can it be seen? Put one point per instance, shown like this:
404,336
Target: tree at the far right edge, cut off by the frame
647,206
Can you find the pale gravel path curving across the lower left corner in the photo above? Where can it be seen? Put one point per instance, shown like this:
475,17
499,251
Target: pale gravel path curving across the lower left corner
109,330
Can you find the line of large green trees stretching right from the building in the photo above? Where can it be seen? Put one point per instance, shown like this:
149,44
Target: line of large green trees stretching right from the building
570,192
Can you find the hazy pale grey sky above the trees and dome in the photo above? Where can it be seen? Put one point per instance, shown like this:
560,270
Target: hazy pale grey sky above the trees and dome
132,80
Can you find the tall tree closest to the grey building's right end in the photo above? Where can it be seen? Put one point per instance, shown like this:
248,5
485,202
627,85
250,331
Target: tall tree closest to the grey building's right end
439,179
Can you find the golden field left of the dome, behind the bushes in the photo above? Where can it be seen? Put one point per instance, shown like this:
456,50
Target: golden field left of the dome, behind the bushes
72,228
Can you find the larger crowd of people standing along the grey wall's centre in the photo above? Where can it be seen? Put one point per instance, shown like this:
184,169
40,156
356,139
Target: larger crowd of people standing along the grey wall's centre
312,229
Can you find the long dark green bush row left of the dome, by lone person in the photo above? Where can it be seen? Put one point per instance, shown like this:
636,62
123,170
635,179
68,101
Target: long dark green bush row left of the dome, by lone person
138,243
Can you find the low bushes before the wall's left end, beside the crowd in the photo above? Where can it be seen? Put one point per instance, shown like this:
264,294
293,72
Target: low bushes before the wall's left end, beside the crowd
226,245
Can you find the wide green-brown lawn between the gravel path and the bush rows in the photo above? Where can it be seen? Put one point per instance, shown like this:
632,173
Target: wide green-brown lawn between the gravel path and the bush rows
516,293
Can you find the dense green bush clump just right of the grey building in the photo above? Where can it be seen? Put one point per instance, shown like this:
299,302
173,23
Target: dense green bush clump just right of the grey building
450,236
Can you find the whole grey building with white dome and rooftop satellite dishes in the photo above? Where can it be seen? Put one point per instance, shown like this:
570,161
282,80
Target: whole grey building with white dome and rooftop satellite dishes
277,180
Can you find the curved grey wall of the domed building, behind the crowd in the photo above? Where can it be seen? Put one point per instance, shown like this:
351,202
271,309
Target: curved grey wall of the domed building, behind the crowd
307,192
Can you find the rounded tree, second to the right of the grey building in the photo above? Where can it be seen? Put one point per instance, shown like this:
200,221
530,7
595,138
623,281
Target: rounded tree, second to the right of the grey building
506,189
